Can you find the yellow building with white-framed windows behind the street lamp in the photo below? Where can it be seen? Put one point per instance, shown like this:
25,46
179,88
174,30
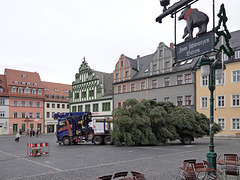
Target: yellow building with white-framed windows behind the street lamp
227,92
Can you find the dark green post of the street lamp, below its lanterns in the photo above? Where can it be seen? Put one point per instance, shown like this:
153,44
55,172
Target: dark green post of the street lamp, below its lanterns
211,155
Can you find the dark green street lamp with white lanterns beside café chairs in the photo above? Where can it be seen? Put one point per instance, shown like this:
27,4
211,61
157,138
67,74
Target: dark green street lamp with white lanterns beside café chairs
214,70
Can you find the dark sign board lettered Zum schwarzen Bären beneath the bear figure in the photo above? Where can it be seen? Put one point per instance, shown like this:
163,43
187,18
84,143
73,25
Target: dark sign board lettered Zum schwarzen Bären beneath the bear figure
195,47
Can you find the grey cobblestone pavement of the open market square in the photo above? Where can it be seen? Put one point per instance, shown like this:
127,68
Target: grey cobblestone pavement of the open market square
88,161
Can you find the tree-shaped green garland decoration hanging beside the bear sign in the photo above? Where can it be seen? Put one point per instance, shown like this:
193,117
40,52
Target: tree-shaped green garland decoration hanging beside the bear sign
225,33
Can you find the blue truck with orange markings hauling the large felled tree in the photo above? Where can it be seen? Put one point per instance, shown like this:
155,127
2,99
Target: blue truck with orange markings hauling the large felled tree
74,128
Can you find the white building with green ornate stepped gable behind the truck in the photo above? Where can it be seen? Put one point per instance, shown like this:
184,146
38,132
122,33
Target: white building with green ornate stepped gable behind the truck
92,92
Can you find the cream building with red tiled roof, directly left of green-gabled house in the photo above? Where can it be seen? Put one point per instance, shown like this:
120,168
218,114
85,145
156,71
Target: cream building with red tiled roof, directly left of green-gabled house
56,101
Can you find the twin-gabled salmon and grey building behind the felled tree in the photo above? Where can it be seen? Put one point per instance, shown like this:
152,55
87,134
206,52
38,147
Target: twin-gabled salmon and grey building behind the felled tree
156,76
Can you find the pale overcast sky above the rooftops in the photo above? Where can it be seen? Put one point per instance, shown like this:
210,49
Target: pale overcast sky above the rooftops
51,37
